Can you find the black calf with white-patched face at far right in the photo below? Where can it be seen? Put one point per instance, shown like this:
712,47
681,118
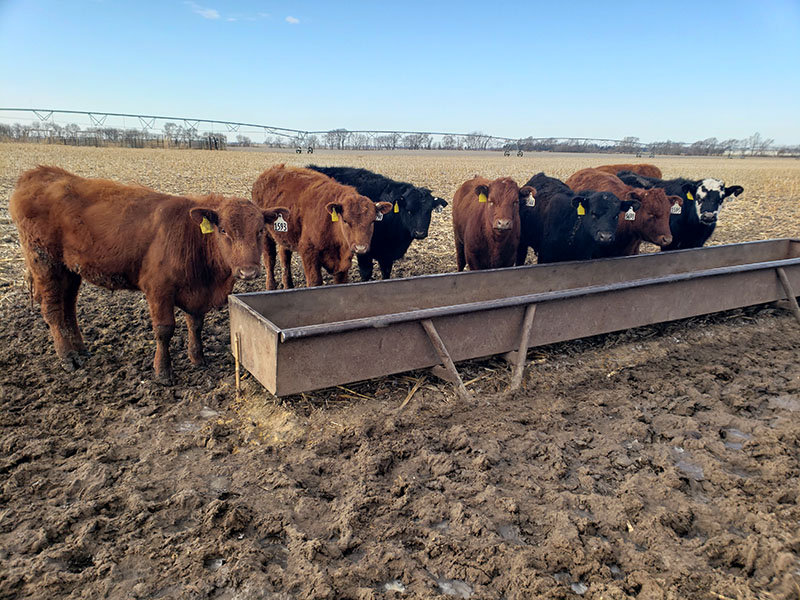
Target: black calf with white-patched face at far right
702,201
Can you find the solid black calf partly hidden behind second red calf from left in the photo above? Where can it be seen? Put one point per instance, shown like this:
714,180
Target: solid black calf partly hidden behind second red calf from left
407,221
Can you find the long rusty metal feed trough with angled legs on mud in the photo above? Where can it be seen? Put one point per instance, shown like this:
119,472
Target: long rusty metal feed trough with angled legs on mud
304,339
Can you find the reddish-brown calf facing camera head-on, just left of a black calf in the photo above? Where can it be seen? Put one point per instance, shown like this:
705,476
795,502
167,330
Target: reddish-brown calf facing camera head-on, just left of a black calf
486,222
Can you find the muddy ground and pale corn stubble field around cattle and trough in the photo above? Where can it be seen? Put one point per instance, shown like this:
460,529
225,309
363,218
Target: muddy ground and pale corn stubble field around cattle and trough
655,463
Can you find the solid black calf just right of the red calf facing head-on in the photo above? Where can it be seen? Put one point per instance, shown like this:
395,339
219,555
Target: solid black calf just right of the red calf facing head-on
563,225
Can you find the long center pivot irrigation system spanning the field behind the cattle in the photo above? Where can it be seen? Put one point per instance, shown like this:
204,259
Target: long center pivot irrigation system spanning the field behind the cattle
304,139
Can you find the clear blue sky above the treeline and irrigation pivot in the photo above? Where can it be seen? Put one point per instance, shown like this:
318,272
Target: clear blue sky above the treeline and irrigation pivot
684,70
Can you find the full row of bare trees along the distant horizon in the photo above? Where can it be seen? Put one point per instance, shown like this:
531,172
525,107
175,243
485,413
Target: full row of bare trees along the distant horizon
174,135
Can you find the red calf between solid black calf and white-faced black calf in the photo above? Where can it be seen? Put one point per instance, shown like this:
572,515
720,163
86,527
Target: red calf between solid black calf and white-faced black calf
651,221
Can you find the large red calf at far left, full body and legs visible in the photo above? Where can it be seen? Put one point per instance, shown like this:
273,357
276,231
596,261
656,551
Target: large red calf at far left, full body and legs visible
179,251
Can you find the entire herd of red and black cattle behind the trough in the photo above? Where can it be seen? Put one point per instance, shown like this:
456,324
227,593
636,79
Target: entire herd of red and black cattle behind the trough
186,251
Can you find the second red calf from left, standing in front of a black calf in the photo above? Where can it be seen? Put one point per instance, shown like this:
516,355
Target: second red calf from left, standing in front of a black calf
329,223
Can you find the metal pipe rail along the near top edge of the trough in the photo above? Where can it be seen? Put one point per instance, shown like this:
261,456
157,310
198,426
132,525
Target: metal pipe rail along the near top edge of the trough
441,311
